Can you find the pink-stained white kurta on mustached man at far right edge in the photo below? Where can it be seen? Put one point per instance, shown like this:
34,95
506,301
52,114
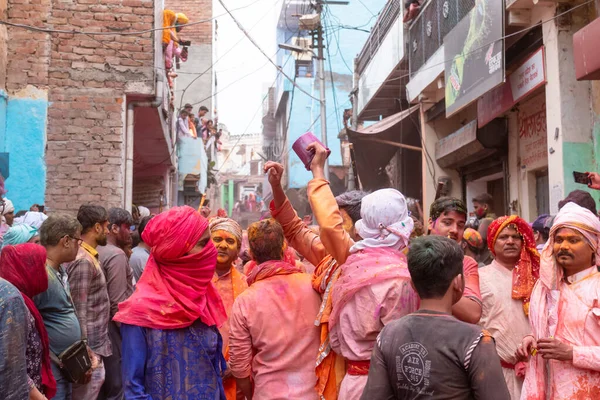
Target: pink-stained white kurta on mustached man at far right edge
578,315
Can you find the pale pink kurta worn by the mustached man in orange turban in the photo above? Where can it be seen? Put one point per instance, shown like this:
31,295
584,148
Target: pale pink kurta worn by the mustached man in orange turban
504,318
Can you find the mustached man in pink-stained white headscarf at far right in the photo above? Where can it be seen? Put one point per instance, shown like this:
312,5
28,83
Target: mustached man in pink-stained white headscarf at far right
565,312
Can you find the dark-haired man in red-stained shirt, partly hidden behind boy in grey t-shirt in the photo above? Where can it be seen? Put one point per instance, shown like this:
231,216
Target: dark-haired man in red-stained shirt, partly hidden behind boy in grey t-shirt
447,217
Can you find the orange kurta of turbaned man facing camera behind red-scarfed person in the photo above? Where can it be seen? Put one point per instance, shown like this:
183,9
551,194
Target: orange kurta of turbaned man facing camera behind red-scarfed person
229,286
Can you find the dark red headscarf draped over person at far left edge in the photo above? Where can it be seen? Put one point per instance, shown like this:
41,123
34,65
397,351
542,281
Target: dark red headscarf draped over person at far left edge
24,266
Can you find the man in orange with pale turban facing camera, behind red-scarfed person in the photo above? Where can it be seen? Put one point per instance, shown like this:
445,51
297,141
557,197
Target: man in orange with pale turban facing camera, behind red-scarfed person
226,234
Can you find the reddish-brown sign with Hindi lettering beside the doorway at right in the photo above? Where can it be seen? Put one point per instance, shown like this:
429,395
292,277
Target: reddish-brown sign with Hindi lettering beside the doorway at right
533,134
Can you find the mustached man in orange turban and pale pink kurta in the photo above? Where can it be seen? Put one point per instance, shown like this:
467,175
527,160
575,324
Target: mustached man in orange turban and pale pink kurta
506,286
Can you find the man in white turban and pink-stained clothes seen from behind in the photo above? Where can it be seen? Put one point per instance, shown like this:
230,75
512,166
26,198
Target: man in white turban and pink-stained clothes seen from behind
375,277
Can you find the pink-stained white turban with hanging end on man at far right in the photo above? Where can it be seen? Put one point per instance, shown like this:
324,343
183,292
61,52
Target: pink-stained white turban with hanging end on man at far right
573,217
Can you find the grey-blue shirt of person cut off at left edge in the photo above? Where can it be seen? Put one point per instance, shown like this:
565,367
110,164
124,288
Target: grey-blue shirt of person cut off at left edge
14,383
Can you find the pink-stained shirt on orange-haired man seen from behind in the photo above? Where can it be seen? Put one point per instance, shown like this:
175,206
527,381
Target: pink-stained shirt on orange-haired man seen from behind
273,337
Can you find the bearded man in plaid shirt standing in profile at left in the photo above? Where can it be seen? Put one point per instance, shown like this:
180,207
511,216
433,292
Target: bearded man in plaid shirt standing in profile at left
90,296
